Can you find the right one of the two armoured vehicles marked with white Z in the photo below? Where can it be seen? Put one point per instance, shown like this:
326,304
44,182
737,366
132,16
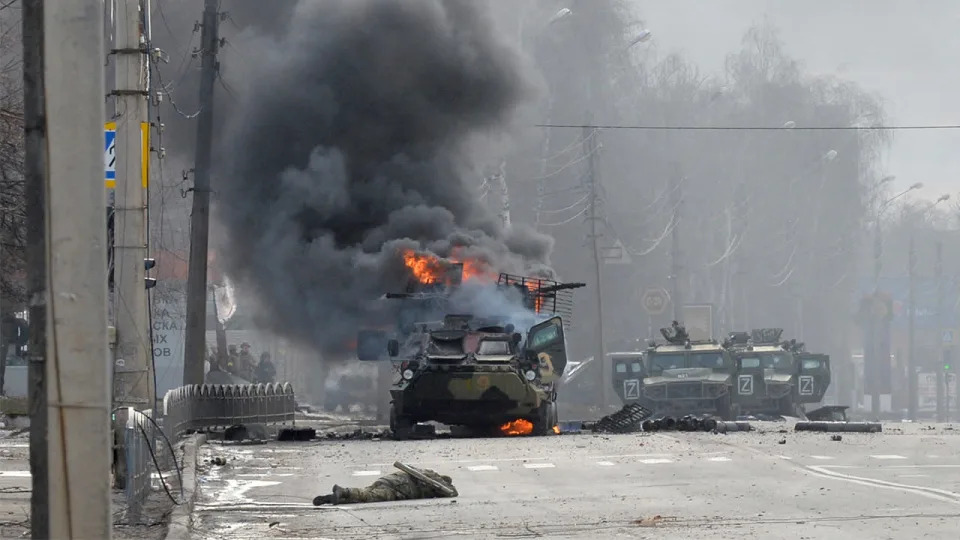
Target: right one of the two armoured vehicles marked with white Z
776,377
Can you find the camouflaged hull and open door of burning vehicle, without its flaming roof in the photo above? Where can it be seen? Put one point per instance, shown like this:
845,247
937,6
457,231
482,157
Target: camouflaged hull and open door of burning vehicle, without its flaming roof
447,375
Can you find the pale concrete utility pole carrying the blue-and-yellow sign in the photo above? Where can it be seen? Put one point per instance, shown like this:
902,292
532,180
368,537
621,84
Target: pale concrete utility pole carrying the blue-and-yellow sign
133,377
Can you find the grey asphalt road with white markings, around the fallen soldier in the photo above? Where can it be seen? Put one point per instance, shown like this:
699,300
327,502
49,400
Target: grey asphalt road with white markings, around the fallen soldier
903,483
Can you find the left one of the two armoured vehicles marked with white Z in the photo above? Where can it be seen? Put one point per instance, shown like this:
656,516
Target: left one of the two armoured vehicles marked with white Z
679,377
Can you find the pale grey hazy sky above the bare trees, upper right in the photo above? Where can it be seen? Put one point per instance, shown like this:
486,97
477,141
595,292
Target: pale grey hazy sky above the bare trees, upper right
905,51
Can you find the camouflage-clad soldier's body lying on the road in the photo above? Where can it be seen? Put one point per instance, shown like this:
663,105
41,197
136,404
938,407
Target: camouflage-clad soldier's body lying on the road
398,486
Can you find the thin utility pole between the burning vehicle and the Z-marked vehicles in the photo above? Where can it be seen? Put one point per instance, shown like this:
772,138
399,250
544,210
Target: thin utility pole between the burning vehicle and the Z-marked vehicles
590,150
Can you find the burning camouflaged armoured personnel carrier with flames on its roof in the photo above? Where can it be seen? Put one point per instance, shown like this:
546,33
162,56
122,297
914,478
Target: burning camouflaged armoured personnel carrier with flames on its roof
481,372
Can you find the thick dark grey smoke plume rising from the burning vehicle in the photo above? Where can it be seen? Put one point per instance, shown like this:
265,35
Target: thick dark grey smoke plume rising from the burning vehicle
354,143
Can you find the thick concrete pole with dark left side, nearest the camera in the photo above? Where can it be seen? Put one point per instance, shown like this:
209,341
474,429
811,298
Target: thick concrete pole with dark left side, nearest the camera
64,111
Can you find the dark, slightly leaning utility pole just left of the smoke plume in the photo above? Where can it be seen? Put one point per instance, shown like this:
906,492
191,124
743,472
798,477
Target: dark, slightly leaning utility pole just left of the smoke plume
195,339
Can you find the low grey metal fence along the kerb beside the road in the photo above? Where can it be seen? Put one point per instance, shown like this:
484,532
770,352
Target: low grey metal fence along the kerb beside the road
186,409
